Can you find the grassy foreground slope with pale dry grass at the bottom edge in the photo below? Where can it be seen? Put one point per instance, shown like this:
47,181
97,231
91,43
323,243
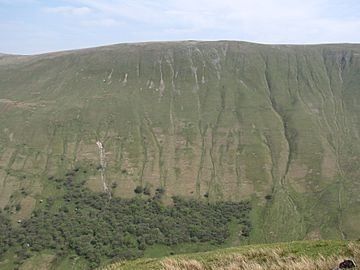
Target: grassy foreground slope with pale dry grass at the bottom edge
312,255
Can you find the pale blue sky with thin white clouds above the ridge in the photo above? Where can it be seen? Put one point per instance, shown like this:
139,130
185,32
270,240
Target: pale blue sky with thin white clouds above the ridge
39,26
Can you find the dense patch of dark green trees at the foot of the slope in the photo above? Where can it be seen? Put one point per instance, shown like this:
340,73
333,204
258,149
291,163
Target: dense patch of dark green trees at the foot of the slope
92,226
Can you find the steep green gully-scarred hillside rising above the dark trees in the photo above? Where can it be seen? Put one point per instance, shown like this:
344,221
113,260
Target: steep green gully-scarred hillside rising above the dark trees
210,120
